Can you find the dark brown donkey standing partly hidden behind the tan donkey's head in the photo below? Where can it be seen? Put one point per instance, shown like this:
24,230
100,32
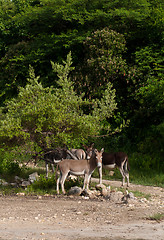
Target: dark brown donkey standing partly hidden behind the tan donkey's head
111,161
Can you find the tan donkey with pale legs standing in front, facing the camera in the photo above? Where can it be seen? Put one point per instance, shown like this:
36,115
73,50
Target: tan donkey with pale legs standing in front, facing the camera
78,168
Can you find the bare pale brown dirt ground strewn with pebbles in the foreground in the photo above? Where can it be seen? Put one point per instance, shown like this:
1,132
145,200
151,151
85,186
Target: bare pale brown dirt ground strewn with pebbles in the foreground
79,218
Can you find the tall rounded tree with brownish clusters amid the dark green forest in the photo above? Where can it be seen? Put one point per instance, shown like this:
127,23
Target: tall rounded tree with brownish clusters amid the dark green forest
103,62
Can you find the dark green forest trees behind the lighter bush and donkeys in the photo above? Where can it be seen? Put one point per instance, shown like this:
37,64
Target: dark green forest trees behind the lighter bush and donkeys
119,42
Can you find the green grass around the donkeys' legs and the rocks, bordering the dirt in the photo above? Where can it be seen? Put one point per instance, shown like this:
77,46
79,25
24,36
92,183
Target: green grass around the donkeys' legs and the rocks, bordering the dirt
48,186
